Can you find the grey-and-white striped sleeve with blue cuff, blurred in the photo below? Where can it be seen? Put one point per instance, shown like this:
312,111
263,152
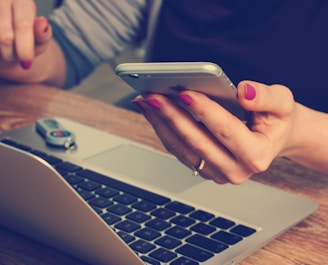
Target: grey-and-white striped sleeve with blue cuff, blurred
96,31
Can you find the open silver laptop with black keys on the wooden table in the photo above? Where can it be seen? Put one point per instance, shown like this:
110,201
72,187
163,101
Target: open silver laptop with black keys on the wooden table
115,201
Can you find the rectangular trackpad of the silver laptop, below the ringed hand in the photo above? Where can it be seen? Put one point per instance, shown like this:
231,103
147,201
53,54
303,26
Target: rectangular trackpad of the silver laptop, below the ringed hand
147,167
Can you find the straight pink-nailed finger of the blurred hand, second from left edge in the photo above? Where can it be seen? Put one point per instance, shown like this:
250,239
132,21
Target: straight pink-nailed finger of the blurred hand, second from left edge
23,23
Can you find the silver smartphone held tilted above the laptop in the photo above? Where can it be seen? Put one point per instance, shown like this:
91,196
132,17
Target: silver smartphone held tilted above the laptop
172,78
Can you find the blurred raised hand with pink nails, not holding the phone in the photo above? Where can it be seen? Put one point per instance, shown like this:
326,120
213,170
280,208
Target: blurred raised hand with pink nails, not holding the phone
23,36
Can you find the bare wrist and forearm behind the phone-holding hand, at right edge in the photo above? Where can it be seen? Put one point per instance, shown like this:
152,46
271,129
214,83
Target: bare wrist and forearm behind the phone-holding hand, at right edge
310,139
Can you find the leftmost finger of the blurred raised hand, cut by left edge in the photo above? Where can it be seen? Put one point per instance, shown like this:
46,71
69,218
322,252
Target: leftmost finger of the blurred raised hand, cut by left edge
6,32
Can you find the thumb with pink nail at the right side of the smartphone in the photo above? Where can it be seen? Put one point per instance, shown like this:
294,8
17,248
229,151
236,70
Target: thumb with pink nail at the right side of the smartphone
256,97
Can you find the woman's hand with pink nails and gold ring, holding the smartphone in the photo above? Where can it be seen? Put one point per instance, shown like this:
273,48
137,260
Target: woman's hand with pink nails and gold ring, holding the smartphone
232,150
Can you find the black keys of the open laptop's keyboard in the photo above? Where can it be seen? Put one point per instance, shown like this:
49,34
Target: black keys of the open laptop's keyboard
158,229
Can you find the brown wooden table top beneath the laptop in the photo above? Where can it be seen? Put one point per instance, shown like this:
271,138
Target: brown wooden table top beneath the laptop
306,243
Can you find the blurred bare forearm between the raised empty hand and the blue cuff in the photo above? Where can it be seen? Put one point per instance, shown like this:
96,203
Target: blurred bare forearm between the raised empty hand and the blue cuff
47,68
